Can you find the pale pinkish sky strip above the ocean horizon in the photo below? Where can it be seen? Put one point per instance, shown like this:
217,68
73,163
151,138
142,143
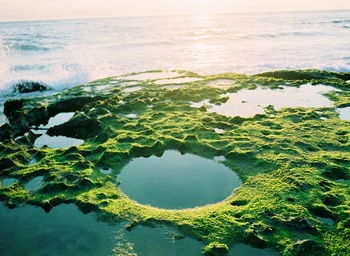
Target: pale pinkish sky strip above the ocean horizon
18,10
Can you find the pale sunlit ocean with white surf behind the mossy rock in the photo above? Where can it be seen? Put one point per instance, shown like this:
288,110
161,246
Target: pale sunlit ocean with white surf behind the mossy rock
64,53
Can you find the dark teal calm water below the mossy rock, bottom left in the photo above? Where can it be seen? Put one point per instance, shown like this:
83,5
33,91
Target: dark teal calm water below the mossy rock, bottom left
67,231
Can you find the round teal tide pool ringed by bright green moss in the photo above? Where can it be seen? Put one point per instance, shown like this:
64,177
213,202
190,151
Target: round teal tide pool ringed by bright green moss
175,181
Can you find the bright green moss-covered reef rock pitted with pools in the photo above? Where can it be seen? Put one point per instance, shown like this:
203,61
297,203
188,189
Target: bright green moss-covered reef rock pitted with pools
294,162
